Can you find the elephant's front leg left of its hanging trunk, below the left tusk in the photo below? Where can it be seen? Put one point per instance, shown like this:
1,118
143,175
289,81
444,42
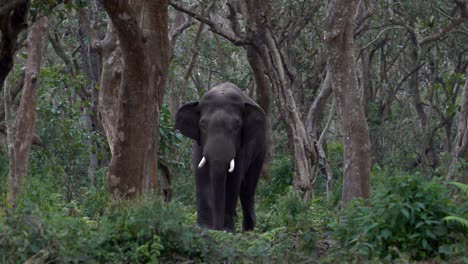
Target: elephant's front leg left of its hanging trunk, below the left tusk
203,192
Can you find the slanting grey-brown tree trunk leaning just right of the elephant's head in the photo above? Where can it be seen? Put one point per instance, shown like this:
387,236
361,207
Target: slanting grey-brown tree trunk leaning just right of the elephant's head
258,14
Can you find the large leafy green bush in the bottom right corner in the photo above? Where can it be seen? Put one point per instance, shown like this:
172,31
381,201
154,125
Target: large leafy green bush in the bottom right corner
404,217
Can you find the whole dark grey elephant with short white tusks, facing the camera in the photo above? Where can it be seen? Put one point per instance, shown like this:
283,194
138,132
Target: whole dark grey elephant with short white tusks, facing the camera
228,129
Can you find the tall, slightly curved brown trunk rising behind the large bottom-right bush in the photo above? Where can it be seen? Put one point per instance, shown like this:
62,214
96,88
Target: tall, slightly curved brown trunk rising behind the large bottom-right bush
341,67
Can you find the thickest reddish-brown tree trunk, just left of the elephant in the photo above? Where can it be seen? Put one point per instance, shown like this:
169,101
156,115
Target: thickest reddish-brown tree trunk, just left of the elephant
132,119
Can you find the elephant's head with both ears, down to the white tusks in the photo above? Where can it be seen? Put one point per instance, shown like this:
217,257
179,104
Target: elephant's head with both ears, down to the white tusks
221,122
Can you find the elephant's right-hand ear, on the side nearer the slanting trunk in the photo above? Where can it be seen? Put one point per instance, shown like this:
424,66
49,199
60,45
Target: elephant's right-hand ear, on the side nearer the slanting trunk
254,127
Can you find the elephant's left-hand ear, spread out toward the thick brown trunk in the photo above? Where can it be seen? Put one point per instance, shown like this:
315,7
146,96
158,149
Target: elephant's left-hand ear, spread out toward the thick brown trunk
187,118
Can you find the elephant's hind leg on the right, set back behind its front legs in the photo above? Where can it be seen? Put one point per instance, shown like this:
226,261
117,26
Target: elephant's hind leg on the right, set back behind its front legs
247,194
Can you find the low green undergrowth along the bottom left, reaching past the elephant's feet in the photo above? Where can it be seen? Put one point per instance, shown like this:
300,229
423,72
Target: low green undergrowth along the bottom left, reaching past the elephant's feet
142,231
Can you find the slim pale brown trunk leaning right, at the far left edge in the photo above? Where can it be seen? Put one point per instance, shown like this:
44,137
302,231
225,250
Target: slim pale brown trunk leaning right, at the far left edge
25,122
